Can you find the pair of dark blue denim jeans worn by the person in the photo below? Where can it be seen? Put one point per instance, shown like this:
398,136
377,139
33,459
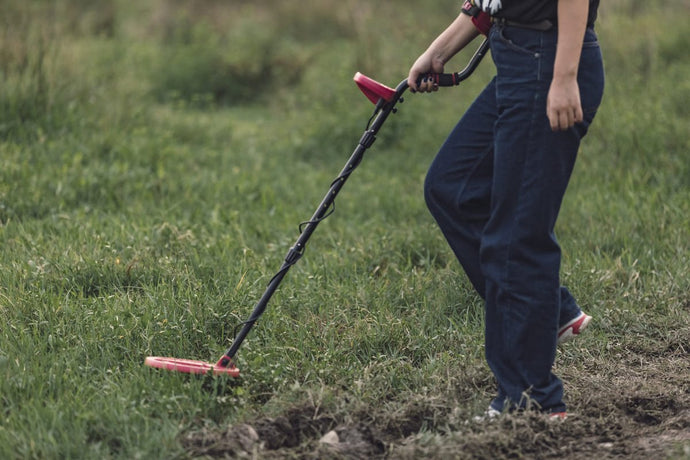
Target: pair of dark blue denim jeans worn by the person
495,188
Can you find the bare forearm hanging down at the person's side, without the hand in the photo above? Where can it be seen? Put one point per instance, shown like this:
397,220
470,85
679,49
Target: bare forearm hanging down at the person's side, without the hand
572,21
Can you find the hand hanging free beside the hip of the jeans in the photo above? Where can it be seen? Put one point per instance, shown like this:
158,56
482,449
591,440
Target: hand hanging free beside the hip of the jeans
563,106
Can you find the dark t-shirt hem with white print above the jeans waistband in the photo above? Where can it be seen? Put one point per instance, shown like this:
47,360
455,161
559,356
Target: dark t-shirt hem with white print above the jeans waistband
530,11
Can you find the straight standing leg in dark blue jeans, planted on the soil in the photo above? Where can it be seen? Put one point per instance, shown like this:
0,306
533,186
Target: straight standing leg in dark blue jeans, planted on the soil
519,256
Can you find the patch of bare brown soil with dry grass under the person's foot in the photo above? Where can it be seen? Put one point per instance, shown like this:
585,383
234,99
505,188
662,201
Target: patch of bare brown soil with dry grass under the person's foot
632,404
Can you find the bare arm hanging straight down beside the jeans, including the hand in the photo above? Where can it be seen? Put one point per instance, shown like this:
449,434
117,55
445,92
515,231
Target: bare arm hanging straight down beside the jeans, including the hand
563,106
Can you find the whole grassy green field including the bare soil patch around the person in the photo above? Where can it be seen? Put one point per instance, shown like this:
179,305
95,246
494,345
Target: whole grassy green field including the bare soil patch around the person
155,162
